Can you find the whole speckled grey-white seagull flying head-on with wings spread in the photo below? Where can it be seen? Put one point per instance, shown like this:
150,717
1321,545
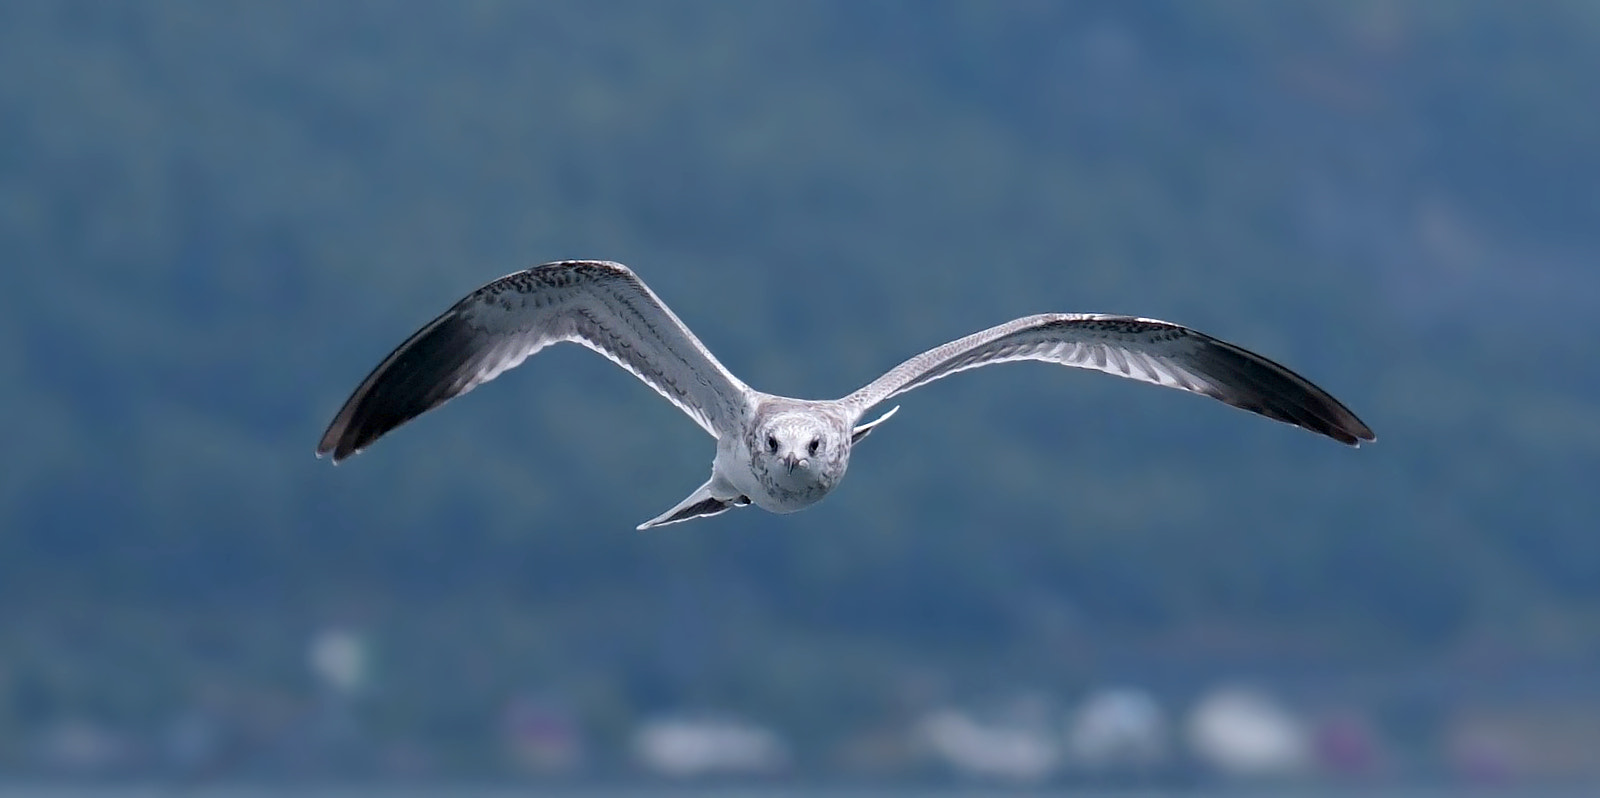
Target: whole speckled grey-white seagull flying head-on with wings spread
782,453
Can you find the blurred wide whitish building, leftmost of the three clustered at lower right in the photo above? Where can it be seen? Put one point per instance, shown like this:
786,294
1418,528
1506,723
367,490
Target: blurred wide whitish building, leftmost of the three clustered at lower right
990,751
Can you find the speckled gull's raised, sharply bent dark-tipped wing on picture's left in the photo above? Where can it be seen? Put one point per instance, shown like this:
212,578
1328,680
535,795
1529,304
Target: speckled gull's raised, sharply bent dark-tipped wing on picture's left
599,305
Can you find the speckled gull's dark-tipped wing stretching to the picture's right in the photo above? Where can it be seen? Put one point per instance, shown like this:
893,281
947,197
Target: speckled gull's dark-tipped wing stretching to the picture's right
1145,349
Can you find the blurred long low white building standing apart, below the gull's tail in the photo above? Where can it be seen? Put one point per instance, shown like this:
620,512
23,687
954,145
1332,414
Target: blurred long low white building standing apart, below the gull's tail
710,746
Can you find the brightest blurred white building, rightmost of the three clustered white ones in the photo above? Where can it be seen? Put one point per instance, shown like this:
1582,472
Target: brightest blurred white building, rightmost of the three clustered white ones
1247,735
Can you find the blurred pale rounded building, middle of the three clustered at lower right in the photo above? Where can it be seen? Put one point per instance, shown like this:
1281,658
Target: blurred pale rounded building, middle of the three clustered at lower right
1119,732
